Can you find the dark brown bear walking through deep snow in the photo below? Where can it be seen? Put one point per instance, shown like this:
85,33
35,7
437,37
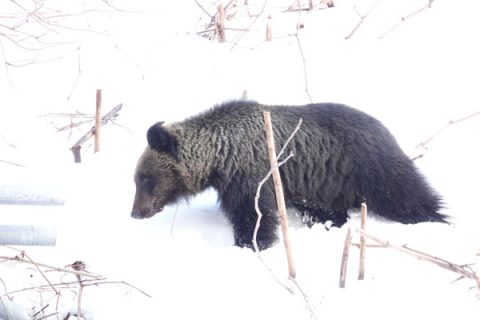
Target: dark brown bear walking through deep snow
342,157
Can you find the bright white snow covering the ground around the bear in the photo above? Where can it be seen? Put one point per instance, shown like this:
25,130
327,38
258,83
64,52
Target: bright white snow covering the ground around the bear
415,80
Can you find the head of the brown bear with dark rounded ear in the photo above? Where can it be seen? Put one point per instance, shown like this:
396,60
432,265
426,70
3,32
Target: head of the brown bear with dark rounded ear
159,177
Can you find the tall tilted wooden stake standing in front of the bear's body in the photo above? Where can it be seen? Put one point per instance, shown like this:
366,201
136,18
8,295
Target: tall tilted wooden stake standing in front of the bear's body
282,210
